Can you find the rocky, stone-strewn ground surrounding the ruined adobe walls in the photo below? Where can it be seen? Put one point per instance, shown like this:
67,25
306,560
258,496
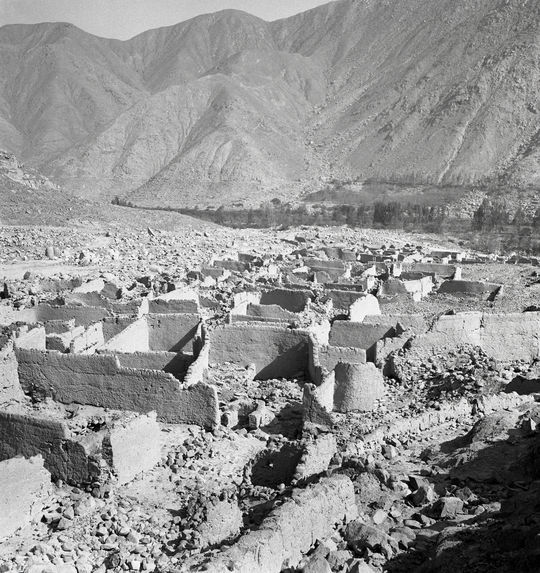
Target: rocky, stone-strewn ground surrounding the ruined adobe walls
445,468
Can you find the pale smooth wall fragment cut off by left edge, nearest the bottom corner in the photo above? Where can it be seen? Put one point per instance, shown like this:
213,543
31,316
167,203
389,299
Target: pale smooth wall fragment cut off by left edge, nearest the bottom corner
24,487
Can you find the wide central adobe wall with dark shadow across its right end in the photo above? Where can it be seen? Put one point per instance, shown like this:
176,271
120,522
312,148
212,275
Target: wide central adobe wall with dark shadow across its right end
277,352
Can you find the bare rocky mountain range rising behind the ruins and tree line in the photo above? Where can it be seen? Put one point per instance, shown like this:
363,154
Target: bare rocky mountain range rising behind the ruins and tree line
229,108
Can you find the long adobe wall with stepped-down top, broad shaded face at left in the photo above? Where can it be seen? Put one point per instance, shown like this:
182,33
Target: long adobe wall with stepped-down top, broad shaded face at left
99,380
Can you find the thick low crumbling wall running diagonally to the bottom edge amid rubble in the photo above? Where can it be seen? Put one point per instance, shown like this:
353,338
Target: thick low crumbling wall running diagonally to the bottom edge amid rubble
290,530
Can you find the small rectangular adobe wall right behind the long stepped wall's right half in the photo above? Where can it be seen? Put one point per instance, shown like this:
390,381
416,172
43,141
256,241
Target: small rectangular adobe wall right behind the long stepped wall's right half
172,332
